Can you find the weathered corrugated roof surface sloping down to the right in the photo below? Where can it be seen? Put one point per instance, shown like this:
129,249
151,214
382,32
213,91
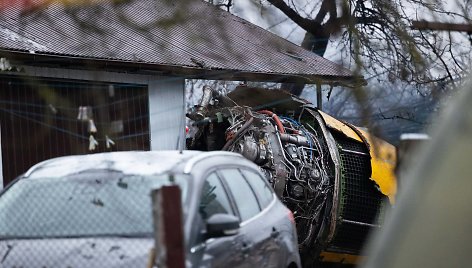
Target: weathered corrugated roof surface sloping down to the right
184,34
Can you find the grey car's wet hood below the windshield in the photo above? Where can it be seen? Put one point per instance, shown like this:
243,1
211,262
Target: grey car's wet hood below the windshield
72,253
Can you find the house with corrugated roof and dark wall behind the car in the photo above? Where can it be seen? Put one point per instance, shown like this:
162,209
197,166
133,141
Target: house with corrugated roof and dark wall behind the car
110,75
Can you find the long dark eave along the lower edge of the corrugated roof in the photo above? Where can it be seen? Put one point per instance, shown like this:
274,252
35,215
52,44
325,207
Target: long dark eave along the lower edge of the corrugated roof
188,72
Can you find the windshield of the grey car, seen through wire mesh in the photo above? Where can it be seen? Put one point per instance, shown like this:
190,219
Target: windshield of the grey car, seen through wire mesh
87,204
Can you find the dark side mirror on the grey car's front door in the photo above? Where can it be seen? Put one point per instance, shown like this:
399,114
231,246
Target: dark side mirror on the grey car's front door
219,225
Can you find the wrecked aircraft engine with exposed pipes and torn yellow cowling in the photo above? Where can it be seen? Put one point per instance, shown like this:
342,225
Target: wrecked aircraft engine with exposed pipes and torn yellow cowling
335,177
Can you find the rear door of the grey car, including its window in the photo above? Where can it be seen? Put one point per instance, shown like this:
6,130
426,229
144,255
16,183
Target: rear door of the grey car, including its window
256,232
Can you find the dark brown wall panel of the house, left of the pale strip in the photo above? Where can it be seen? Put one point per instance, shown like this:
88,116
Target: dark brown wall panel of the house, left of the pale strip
46,118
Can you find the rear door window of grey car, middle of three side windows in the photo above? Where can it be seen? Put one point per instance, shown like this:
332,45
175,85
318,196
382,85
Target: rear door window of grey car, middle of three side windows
243,194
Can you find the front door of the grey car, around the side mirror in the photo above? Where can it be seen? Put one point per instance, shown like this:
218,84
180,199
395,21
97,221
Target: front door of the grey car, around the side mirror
221,251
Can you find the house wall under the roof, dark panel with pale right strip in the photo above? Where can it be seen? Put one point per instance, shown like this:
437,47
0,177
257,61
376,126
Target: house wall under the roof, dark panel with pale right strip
152,123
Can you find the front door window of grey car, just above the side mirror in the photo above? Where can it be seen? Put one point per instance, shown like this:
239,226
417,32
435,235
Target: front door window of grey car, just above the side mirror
214,198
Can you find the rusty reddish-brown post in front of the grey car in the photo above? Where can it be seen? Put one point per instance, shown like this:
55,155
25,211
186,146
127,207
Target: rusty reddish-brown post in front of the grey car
169,248
